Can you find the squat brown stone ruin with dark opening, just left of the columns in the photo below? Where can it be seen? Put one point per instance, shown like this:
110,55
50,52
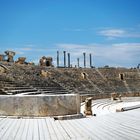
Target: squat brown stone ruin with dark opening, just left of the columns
46,61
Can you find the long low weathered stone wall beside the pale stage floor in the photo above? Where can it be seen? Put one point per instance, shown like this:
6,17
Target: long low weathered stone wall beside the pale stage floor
39,106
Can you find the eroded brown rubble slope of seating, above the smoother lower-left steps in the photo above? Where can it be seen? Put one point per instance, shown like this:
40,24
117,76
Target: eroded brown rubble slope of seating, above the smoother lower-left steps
97,82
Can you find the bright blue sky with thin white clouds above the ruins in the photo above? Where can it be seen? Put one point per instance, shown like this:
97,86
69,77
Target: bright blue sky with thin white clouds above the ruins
109,29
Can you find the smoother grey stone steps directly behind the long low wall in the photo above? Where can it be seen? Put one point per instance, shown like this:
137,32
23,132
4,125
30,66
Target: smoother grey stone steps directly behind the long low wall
8,87
